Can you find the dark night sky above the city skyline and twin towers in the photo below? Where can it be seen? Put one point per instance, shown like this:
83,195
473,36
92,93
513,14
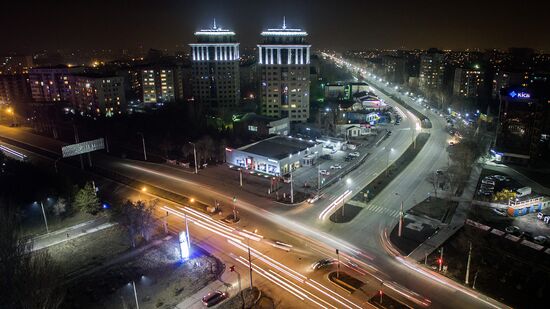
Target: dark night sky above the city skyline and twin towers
30,25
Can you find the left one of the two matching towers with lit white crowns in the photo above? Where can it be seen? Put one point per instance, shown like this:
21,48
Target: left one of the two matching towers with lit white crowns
215,68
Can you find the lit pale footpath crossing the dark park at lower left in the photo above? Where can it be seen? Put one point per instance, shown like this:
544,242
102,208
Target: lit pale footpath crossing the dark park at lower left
71,232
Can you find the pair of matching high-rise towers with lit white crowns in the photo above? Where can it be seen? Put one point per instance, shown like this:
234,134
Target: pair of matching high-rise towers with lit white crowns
283,71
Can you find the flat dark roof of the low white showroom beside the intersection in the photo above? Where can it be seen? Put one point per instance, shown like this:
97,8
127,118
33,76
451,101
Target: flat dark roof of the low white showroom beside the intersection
278,147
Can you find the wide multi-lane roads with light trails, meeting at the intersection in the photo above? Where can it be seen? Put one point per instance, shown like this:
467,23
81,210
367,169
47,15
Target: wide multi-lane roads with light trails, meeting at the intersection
362,242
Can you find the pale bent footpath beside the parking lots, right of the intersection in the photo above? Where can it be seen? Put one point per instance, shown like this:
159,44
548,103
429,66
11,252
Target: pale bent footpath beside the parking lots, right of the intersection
459,217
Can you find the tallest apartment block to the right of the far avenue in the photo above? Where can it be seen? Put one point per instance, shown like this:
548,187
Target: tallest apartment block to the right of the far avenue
431,70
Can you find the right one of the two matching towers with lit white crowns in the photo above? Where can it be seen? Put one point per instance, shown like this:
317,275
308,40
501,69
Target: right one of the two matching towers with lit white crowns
283,59
